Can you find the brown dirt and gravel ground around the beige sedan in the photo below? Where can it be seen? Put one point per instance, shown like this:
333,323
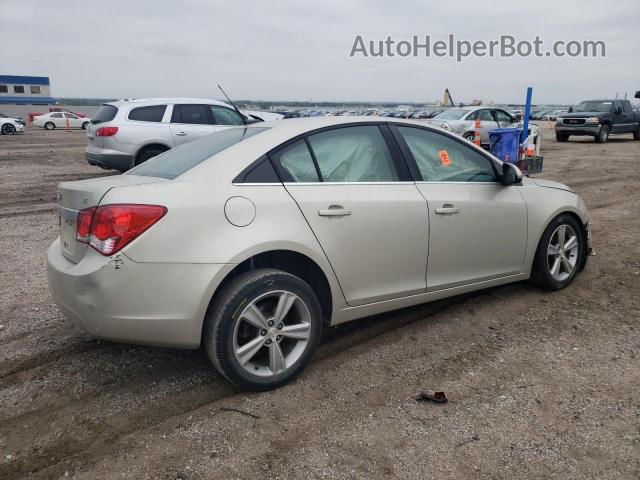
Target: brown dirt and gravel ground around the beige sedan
541,385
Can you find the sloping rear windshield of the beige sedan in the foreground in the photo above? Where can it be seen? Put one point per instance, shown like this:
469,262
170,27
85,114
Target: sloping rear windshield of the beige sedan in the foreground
178,160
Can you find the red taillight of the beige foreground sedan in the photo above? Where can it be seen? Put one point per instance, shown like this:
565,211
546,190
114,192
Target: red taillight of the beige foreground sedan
112,227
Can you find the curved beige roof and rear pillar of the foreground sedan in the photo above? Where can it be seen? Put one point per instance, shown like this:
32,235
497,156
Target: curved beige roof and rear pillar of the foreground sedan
228,163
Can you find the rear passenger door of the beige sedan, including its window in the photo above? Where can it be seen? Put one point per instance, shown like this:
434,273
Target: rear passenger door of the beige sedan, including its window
353,188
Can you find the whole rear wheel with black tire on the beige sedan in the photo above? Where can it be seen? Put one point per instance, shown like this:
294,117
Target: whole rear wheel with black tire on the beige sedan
256,358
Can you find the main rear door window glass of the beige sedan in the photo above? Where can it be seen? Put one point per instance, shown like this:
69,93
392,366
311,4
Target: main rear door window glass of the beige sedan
353,154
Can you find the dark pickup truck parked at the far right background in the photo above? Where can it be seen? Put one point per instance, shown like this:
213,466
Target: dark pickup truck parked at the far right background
599,119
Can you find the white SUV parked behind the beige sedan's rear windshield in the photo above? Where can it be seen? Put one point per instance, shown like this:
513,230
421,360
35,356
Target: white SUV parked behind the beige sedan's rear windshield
126,133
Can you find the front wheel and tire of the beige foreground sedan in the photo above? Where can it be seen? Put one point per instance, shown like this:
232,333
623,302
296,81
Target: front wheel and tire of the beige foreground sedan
559,258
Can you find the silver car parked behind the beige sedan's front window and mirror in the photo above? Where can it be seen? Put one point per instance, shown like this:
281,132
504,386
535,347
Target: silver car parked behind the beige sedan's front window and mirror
462,121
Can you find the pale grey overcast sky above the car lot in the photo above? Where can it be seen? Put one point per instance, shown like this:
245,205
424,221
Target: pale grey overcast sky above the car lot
295,50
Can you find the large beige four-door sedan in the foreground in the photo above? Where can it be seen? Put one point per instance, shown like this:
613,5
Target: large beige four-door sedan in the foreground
251,241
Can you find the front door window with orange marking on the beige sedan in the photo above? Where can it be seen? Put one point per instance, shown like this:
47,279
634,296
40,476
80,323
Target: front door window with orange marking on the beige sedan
443,159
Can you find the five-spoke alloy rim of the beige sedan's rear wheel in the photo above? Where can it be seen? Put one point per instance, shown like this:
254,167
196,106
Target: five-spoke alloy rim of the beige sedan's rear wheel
272,333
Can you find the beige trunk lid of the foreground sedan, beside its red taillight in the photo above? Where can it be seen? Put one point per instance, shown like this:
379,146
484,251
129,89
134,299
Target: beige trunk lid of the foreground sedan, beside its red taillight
75,196
